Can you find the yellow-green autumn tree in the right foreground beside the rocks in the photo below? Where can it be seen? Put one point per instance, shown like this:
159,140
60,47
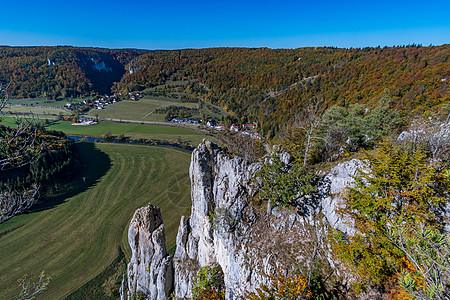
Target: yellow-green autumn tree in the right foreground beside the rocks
393,205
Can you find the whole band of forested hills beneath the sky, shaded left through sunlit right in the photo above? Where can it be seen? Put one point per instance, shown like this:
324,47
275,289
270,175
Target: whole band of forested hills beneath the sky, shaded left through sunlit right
267,86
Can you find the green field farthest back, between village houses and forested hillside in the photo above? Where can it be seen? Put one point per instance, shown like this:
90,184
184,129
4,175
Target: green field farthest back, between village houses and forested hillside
142,110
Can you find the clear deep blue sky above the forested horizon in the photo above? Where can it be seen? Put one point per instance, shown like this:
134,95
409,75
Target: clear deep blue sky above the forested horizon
199,24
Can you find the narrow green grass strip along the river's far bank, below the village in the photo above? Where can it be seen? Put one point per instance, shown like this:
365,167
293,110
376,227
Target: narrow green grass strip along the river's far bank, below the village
135,131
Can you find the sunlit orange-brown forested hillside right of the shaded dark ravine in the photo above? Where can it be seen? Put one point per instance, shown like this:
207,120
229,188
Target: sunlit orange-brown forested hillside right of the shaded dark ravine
269,86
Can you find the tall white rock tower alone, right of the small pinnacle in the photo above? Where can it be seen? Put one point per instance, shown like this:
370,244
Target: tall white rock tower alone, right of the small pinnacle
220,219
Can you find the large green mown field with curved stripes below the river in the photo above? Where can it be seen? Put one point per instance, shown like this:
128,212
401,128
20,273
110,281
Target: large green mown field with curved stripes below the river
76,238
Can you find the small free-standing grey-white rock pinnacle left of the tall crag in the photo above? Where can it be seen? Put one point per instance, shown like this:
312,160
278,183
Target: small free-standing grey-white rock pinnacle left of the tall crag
150,270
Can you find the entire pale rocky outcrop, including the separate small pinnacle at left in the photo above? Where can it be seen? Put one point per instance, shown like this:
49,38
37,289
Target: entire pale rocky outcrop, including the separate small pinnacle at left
227,230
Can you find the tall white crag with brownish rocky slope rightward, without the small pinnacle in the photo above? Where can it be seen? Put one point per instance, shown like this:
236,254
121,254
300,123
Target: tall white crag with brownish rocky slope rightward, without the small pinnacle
225,229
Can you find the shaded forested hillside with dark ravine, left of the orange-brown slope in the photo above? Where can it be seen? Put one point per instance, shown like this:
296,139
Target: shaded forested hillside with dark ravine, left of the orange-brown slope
61,71
